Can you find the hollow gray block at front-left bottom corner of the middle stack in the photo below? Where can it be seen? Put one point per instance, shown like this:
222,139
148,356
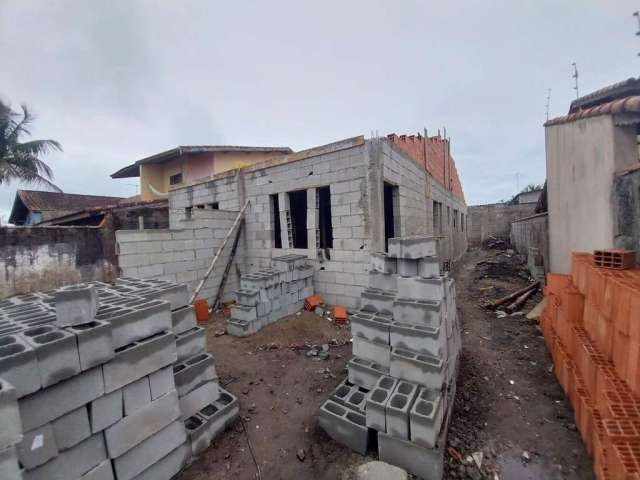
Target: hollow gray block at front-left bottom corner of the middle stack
345,426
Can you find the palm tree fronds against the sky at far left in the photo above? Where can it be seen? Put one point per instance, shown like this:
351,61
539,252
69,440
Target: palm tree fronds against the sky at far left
21,160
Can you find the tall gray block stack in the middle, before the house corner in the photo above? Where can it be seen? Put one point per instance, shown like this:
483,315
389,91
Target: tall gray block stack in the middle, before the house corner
406,346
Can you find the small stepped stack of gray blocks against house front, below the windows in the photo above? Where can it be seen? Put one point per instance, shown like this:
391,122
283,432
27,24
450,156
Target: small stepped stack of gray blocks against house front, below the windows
270,294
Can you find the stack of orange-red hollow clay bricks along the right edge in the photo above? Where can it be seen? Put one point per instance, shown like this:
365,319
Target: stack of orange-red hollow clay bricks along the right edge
591,324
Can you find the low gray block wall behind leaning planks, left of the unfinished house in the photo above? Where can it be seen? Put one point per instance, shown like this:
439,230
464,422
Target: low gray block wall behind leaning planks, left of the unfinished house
182,255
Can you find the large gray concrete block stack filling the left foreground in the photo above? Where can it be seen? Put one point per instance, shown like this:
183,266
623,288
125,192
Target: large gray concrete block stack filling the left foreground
106,382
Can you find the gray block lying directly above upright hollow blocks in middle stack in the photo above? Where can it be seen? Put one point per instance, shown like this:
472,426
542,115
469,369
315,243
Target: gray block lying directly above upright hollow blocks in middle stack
422,369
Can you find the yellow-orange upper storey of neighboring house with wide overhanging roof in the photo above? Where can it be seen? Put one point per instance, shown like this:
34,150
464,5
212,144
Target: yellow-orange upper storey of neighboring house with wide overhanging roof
187,165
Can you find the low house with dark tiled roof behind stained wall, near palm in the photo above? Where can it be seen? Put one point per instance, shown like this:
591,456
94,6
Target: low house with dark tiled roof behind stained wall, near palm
31,207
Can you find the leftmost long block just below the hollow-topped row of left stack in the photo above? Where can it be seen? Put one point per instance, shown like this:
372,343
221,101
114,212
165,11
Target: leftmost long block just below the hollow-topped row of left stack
63,397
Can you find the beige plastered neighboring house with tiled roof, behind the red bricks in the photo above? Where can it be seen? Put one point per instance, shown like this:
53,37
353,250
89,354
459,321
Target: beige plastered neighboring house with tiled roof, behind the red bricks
592,174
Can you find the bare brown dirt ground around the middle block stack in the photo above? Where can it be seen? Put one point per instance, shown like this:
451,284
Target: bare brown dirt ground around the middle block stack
509,410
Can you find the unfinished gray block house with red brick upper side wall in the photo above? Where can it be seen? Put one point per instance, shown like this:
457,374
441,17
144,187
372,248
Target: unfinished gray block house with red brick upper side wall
335,203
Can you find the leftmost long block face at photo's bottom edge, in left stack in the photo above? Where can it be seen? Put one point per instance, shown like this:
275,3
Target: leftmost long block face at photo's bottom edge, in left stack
72,463
